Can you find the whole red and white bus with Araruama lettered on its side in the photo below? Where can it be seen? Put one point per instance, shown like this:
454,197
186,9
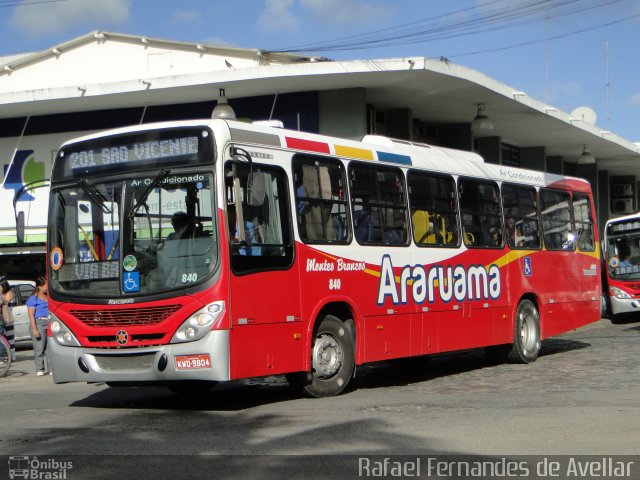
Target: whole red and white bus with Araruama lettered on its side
189,253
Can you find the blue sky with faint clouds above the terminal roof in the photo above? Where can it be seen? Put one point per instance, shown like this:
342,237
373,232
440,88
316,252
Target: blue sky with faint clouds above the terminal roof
567,53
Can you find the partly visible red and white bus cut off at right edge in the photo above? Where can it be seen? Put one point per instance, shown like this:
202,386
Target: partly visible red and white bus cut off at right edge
621,247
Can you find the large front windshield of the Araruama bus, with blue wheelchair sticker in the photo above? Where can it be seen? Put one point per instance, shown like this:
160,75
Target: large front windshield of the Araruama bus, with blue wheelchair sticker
147,234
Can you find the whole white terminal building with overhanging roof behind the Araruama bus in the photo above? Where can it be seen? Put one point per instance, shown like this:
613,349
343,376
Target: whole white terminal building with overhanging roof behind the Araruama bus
104,80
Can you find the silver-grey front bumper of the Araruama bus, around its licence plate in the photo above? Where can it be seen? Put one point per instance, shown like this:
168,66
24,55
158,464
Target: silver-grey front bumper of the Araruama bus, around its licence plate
139,365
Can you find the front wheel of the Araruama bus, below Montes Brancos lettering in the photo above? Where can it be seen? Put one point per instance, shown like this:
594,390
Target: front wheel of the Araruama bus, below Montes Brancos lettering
332,358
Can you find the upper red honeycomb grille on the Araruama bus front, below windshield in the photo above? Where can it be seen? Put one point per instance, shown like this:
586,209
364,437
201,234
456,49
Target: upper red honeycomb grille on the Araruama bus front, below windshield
125,317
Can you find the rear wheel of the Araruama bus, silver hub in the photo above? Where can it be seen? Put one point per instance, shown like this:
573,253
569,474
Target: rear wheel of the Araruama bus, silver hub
526,342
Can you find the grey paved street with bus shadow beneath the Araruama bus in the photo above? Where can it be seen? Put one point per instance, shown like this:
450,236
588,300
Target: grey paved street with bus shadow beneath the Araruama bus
580,397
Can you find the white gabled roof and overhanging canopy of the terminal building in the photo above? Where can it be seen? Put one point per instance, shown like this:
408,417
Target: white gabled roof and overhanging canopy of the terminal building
103,70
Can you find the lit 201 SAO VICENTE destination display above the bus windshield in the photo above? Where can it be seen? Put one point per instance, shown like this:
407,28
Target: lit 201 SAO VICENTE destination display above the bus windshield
138,152
